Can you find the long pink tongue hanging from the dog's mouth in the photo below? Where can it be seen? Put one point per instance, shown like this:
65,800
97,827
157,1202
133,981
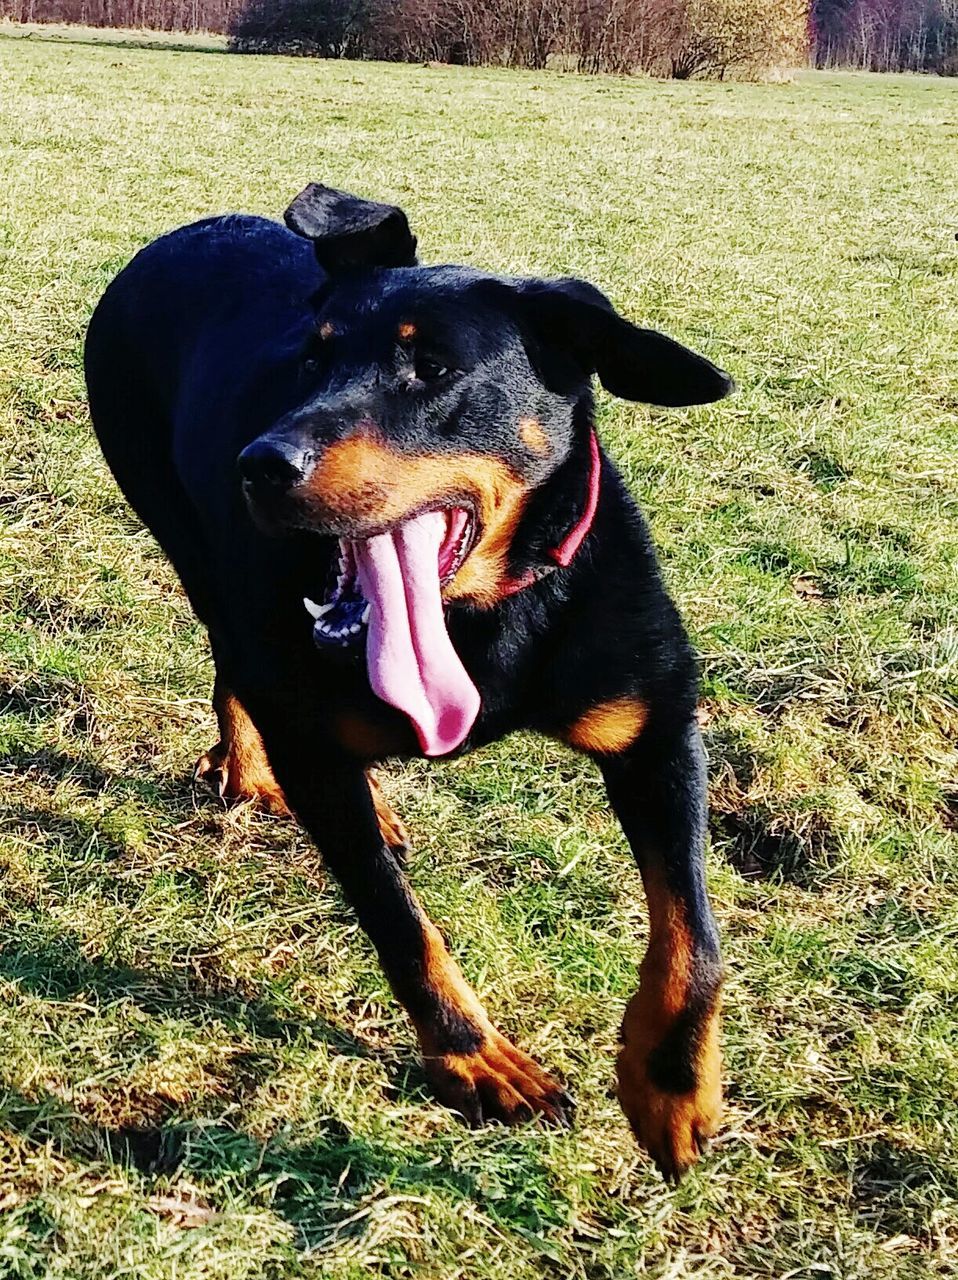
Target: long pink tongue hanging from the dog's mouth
409,655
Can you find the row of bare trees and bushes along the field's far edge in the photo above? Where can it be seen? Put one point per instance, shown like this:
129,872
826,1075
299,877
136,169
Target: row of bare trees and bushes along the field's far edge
662,38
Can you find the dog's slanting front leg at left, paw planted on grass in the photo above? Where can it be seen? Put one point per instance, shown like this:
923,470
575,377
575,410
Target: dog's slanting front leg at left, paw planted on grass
471,1067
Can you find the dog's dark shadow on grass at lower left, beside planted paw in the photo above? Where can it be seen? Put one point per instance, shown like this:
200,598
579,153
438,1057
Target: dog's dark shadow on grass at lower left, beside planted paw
316,1186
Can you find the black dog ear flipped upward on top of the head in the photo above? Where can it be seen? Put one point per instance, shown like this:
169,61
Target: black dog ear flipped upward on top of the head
349,232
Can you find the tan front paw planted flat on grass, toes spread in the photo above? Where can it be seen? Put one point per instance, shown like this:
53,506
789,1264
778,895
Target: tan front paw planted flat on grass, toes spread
498,1082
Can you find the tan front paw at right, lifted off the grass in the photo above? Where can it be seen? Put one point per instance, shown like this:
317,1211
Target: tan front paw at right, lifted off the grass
674,1127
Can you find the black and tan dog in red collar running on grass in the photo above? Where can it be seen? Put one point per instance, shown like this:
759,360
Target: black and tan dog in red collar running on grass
303,415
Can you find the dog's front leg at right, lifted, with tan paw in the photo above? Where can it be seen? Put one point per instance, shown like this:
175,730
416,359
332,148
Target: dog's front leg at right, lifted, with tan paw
670,1066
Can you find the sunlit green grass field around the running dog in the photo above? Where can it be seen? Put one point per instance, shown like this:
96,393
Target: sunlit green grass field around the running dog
203,1075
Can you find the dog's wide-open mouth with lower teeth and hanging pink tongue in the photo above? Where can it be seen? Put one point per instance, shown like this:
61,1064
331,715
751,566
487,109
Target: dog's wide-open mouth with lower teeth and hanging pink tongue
389,591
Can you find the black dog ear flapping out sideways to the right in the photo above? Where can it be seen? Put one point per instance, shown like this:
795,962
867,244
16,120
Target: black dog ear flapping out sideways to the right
636,364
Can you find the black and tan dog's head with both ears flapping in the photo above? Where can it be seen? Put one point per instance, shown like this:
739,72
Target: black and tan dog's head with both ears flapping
436,401
